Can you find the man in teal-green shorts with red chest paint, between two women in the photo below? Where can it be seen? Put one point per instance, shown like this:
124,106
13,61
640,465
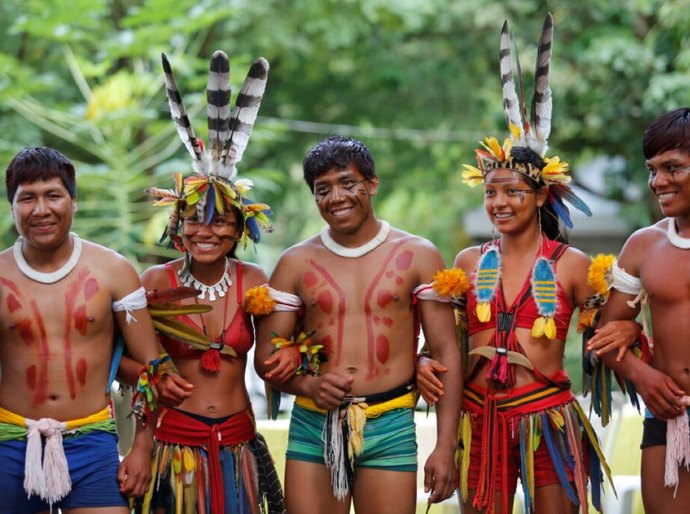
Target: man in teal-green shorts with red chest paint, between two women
355,282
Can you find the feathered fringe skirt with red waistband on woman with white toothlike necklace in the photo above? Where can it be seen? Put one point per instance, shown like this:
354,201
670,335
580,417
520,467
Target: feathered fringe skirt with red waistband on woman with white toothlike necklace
219,469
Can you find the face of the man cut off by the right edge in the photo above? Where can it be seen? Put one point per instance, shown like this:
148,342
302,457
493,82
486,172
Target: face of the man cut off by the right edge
669,180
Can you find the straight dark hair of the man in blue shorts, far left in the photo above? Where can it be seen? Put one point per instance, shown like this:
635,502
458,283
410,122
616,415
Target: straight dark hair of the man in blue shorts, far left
34,164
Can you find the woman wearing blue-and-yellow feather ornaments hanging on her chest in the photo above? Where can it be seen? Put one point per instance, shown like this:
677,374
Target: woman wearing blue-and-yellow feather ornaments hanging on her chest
520,416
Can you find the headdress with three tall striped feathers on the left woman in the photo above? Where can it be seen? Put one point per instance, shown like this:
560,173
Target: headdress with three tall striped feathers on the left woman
214,186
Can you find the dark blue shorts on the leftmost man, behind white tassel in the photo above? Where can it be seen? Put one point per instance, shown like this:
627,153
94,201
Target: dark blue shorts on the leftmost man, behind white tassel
92,459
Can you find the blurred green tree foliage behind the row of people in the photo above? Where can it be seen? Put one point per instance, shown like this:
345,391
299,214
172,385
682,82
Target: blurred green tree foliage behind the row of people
417,80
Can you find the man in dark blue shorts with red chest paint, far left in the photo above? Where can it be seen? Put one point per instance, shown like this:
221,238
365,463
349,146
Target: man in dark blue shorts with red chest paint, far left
58,295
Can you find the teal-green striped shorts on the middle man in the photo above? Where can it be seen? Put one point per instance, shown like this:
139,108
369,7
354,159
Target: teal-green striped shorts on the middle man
389,440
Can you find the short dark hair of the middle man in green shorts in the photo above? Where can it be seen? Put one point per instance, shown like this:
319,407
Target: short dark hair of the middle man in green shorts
337,152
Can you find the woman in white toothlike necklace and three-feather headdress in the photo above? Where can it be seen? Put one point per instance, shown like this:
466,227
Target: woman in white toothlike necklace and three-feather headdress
208,457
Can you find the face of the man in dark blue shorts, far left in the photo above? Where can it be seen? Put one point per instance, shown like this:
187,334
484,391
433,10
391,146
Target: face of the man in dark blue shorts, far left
43,212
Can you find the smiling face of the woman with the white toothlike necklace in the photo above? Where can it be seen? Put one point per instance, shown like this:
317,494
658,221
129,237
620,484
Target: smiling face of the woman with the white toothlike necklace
210,243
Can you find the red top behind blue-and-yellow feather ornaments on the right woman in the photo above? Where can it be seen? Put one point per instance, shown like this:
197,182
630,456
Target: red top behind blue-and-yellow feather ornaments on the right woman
526,311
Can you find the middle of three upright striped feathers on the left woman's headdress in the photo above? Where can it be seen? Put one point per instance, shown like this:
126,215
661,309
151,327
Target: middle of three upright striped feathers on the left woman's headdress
218,103
